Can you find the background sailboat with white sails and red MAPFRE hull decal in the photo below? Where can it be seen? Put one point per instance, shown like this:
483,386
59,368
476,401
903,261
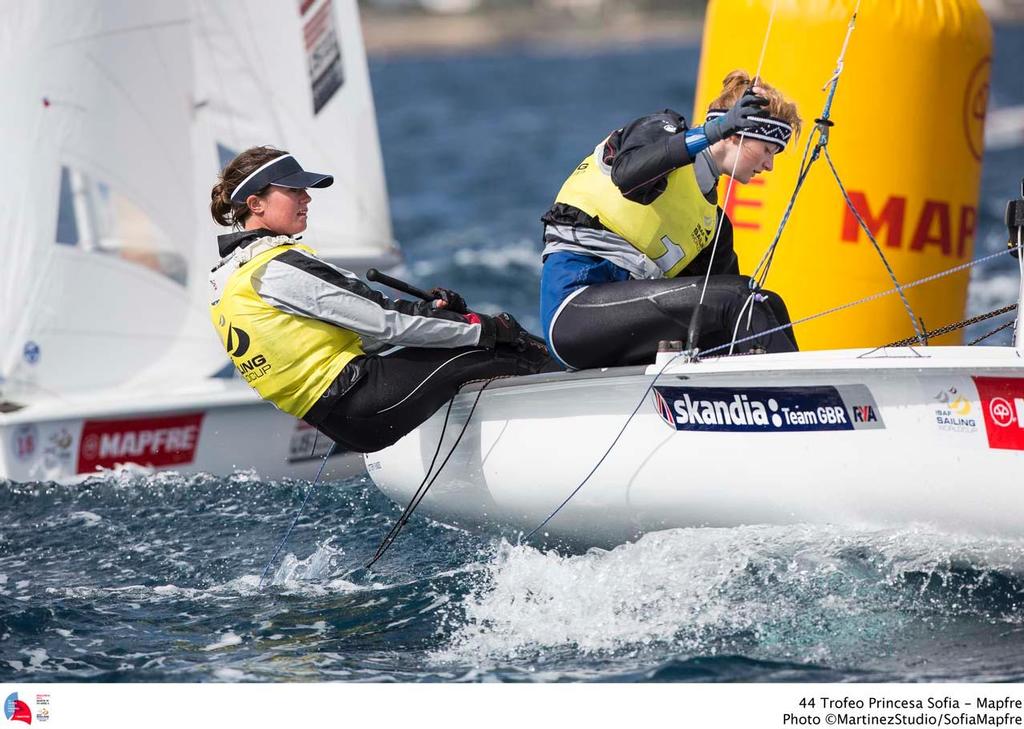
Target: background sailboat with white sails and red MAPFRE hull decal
118,117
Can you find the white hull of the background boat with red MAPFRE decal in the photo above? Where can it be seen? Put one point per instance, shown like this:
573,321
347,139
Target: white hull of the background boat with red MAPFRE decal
218,427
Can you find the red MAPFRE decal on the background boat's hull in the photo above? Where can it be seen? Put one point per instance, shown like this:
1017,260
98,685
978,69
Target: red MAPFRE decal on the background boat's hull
168,441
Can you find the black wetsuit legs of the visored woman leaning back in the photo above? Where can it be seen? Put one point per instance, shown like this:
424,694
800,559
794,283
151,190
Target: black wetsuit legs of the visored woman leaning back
399,392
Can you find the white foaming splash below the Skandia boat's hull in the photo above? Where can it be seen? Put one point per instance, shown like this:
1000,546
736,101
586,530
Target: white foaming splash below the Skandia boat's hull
795,593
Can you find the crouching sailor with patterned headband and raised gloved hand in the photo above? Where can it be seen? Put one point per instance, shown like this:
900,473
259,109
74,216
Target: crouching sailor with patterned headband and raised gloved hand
629,239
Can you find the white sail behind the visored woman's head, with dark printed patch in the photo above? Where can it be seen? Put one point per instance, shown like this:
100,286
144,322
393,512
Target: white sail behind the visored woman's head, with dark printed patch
293,75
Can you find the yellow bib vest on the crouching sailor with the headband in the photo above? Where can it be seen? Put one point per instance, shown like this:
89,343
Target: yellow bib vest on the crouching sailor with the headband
671,231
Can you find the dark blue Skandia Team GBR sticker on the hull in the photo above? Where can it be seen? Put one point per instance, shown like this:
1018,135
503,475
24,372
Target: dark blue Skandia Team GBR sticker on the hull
769,410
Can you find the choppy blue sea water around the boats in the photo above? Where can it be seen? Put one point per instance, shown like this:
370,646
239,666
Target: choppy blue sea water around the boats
136,577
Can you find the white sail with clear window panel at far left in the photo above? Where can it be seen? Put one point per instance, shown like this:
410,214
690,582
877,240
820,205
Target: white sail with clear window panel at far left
97,112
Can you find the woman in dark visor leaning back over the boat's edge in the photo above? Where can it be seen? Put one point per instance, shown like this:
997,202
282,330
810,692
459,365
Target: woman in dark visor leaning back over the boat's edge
295,326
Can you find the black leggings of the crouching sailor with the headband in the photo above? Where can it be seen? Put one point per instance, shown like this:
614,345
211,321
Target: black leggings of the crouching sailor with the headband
619,324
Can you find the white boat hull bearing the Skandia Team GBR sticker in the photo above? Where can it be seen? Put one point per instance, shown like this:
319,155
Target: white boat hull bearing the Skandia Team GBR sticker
916,443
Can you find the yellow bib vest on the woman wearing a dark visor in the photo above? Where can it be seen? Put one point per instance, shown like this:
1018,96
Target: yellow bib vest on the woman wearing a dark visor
287,359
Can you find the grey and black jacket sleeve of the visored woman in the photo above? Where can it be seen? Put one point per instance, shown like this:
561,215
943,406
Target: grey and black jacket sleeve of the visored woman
301,284
